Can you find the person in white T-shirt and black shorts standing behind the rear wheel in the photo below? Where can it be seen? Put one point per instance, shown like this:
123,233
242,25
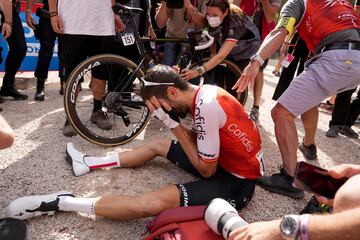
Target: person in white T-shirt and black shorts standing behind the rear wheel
86,30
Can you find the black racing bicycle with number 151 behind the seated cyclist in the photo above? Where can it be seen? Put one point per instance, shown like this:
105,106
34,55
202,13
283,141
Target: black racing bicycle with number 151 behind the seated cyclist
122,104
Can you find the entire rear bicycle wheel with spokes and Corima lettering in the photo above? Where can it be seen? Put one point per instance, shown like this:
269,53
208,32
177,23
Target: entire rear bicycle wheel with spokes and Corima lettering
121,104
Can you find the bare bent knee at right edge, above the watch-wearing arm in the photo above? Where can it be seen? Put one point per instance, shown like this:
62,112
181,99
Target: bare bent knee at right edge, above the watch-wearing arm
346,197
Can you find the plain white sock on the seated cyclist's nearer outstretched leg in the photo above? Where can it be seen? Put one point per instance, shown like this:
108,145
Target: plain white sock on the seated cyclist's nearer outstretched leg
84,205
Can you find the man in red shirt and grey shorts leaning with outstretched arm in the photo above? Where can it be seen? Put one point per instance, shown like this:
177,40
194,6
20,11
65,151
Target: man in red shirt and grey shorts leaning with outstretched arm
331,31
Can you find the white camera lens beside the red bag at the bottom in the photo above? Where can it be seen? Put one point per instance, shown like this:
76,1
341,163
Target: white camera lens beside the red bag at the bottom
222,218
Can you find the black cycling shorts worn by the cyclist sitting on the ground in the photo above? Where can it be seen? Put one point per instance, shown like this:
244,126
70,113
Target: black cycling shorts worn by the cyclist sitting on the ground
238,192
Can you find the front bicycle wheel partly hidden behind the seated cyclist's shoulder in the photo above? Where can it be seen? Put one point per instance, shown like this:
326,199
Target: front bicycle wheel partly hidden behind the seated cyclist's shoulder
224,75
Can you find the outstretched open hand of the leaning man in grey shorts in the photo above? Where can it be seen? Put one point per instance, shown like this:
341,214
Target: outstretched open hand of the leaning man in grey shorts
247,77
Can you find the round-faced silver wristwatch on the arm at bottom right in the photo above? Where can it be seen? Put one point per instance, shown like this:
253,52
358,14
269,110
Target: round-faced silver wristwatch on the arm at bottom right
290,226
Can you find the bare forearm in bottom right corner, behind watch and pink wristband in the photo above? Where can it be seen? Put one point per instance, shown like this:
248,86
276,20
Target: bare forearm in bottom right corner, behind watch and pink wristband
330,228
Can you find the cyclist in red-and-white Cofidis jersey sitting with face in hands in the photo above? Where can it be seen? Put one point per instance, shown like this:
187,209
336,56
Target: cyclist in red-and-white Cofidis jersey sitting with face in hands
224,150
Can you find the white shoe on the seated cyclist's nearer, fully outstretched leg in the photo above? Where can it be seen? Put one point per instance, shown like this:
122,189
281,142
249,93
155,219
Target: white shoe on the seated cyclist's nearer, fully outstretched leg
32,206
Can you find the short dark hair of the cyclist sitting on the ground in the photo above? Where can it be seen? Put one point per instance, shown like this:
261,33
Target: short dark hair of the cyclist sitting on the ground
162,74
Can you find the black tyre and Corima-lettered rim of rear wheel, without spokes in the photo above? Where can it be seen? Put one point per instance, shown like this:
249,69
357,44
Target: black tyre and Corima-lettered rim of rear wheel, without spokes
73,82
